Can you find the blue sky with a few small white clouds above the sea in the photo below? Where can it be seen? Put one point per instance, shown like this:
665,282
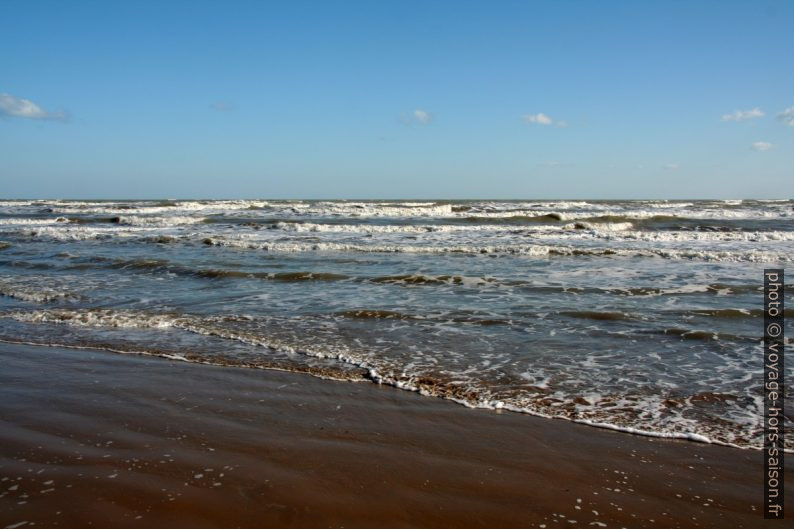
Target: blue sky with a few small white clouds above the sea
397,99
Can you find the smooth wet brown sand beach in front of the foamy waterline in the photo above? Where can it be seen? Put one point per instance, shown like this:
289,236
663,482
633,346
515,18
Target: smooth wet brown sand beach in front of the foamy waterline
97,439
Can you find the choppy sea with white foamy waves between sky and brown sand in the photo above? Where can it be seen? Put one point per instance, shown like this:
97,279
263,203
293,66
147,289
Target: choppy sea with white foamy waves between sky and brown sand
643,316
